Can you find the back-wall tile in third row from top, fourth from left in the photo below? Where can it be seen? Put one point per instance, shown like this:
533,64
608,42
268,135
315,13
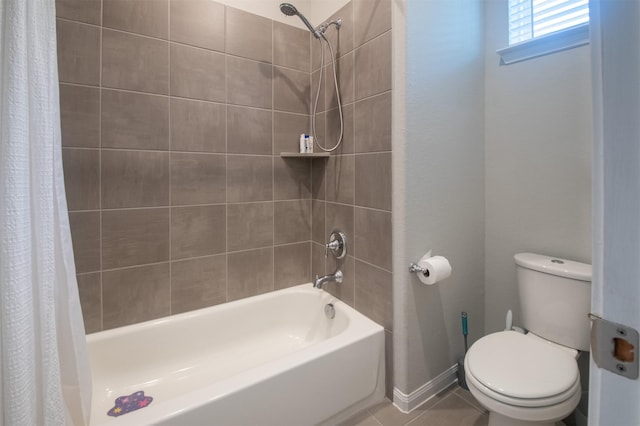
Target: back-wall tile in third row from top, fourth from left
249,130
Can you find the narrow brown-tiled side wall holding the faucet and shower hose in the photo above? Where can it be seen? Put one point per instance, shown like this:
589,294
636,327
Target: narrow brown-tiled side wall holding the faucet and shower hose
352,189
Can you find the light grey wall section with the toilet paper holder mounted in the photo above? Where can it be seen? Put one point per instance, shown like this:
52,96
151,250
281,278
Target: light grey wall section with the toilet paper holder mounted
438,182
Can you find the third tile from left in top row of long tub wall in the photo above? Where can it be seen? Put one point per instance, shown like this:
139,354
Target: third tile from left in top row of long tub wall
198,22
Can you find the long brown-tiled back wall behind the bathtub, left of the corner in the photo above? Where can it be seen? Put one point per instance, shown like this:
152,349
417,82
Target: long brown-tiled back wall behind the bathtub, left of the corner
173,116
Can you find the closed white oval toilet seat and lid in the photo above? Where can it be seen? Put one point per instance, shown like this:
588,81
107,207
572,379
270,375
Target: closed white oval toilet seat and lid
519,370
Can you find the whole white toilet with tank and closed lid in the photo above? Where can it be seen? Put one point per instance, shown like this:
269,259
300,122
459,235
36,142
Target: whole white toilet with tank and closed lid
533,378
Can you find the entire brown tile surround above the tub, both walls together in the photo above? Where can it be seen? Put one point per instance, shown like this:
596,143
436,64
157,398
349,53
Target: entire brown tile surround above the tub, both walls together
173,116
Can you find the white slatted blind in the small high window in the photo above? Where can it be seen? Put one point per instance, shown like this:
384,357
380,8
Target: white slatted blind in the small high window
529,19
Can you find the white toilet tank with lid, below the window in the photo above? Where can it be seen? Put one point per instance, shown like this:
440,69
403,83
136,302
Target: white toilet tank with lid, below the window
555,298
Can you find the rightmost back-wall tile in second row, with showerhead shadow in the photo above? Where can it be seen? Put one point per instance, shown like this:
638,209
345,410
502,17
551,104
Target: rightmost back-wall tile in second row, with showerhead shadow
291,90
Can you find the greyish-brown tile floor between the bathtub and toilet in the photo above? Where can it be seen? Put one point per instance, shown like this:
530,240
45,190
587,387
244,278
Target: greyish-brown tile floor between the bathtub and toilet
453,407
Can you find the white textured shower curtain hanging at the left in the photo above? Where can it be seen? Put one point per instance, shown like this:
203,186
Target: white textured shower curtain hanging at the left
44,371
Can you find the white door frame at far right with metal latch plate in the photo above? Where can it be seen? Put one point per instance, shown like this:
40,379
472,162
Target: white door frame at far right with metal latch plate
615,45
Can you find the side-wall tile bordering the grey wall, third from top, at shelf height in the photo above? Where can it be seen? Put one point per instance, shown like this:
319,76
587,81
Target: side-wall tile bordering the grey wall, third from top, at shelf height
372,122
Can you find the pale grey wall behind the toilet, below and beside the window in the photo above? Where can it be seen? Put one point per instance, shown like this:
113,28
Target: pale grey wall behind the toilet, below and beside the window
538,161
